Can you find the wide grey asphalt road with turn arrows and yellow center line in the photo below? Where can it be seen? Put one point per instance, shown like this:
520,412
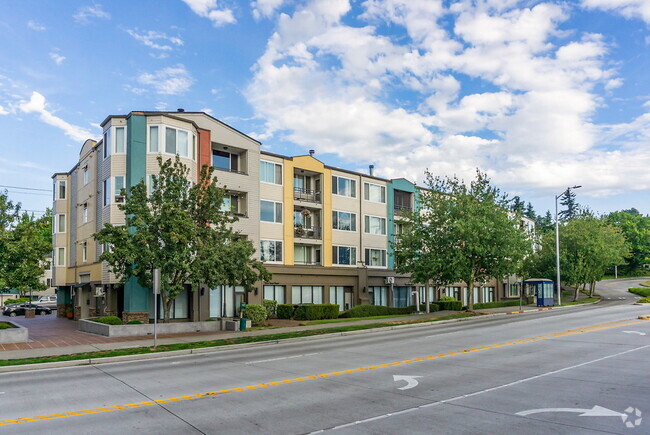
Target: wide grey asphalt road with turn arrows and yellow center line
575,370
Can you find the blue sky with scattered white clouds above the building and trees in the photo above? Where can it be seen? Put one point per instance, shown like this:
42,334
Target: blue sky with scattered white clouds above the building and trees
539,94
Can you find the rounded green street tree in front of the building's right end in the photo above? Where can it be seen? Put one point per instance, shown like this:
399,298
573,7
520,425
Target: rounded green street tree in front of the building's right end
465,232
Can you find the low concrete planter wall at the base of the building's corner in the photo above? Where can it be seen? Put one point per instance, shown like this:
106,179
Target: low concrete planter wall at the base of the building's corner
146,329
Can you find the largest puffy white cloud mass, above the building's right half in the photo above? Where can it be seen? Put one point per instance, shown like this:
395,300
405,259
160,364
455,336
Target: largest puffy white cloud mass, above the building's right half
337,88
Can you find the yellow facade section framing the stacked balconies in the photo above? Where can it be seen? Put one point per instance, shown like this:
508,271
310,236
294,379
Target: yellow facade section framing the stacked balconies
310,164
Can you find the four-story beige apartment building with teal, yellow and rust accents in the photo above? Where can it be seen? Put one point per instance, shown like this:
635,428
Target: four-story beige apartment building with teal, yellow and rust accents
326,234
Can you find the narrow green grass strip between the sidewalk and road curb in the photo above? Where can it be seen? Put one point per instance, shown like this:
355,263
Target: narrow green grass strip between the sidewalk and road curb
217,343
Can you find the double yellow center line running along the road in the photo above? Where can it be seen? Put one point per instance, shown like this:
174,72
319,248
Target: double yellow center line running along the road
582,330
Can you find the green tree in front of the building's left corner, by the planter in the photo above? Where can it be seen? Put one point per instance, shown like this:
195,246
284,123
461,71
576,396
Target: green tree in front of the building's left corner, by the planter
180,229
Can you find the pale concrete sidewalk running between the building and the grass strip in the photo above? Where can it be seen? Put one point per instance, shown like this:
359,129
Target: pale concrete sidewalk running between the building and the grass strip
131,342
